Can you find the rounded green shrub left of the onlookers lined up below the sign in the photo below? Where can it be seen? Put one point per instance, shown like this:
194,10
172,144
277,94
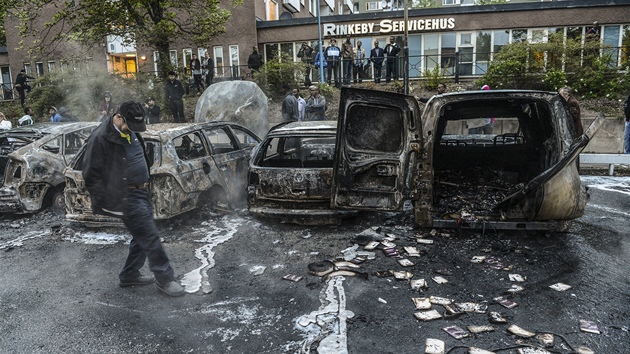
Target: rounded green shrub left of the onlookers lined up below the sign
276,73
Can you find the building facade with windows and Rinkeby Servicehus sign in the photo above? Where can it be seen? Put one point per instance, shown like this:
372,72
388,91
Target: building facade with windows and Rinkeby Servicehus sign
455,36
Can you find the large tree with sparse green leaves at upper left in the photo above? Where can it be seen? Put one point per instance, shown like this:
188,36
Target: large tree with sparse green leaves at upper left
155,24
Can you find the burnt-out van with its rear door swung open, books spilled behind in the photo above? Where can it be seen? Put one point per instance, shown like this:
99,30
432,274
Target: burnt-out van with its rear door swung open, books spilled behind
502,159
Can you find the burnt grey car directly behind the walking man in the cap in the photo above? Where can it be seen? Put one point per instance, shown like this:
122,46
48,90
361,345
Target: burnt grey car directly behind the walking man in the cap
192,165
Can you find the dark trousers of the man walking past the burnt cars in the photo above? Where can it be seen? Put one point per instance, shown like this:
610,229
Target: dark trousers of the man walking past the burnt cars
145,243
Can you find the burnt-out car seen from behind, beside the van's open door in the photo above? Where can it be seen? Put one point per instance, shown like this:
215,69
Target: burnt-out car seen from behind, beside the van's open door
290,174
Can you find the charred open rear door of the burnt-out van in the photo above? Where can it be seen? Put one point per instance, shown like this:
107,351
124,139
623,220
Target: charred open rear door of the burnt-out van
378,150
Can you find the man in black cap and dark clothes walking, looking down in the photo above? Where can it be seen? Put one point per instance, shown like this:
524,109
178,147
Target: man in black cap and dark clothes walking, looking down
116,173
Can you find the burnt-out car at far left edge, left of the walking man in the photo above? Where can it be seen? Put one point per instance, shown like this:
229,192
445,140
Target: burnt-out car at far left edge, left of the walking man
32,160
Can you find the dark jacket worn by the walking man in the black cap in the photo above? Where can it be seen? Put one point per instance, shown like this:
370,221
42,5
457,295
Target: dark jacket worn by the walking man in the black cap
105,169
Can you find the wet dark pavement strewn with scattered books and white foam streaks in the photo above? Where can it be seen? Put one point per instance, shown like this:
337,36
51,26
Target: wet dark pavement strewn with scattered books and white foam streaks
250,290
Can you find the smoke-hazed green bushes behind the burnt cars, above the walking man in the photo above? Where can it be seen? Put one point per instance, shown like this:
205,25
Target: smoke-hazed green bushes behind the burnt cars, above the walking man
82,94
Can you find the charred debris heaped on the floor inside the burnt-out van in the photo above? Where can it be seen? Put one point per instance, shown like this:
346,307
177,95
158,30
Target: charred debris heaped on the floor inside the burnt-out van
471,194
